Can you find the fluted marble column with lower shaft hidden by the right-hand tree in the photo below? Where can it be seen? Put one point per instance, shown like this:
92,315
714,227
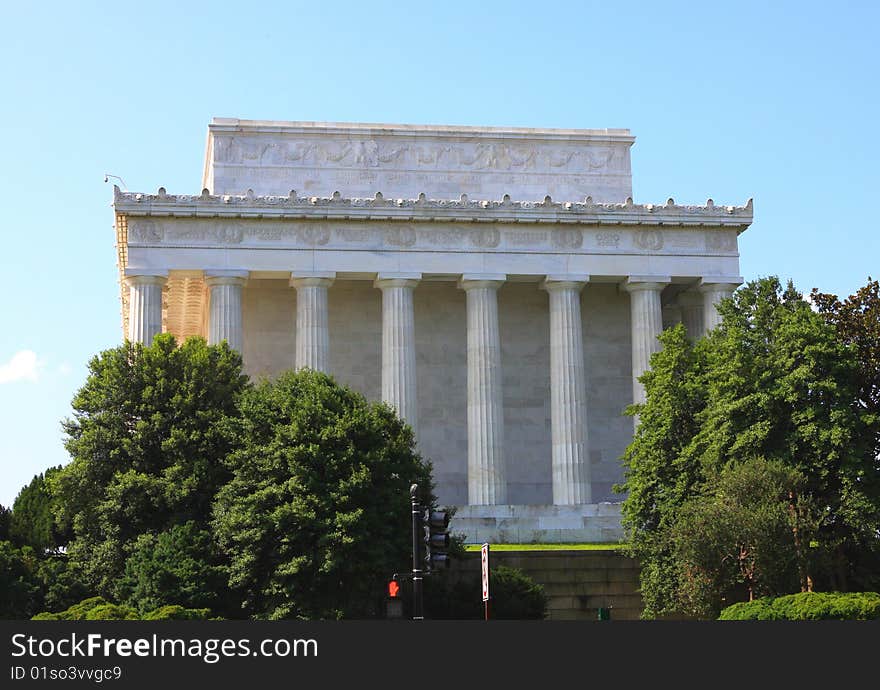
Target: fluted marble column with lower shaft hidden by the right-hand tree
646,323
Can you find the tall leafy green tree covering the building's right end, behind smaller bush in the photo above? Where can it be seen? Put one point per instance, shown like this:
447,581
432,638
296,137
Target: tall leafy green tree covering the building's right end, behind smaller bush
772,381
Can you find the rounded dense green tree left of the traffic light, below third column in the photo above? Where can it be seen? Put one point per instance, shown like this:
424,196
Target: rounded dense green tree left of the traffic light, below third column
317,514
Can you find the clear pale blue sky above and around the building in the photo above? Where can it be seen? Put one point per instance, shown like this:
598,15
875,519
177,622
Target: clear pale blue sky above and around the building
776,101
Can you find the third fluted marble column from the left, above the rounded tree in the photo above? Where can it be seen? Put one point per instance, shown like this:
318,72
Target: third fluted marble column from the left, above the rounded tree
312,329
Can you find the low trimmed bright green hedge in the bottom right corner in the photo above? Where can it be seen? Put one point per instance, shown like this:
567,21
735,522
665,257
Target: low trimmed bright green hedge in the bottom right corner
808,606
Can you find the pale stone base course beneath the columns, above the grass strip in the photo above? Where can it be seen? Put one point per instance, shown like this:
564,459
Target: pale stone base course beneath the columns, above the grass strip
544,524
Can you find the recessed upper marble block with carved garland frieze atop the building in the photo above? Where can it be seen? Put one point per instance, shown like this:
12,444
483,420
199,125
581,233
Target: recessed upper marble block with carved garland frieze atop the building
403,163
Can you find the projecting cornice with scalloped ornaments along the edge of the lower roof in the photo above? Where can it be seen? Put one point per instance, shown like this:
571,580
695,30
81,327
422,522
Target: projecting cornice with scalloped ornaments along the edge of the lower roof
206,205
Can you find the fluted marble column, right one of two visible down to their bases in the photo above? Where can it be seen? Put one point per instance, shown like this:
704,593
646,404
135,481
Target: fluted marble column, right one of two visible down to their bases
568,393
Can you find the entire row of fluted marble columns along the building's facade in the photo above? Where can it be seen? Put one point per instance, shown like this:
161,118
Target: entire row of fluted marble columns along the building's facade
487,483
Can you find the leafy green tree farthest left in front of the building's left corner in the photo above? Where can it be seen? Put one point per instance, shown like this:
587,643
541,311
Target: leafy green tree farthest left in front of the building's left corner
147,442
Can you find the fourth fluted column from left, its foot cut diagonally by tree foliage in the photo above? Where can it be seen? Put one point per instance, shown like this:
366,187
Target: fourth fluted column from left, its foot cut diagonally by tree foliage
399,344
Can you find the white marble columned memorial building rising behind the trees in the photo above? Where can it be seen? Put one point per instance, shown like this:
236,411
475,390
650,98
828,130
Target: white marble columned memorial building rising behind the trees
497,286
